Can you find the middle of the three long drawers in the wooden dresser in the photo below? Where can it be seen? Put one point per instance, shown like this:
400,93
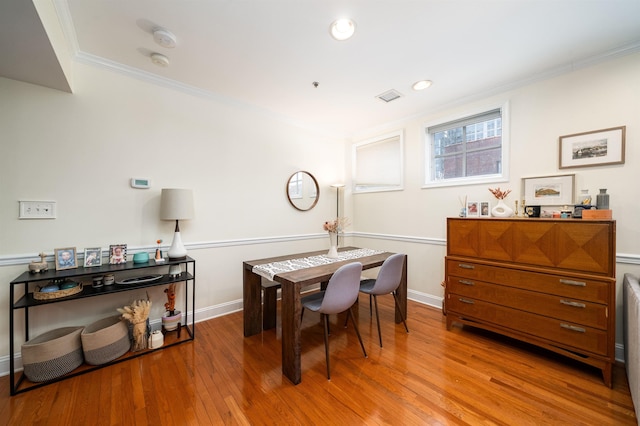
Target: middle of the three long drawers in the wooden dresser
562,308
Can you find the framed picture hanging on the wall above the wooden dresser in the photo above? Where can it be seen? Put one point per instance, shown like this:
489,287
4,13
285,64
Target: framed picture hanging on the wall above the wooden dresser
596,148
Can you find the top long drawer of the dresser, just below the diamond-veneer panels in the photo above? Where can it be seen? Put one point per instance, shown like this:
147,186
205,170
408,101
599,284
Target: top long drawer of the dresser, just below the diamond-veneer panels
591,290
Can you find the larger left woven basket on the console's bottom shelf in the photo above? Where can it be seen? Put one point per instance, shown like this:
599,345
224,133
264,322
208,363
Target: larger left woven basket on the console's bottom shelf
52,354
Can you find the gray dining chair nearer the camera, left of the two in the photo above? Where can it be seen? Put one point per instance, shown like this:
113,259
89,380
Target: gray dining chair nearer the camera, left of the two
339,296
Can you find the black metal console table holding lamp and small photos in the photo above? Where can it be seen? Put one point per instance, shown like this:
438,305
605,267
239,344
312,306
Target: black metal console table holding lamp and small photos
23,287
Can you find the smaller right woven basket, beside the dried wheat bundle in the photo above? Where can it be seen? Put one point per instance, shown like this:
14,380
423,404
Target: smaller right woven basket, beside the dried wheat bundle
105,340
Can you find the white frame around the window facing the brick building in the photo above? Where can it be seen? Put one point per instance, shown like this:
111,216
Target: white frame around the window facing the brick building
503,176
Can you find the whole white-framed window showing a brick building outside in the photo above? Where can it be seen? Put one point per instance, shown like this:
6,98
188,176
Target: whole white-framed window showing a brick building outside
471,149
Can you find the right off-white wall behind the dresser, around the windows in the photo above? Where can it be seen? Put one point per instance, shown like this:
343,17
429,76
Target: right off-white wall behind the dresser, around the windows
601,96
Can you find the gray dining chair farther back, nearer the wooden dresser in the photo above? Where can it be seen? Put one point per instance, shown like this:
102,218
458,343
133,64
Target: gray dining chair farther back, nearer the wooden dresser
388,280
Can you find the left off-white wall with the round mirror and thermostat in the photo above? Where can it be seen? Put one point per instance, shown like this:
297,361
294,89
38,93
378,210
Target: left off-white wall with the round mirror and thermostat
81,150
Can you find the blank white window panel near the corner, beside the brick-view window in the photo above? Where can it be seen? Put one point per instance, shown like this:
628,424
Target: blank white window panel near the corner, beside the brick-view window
378,163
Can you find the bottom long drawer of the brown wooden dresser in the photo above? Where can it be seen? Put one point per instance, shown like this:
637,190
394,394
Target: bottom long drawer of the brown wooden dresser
564,333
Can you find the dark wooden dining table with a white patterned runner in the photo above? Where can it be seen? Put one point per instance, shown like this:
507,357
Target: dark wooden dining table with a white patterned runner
291,283
